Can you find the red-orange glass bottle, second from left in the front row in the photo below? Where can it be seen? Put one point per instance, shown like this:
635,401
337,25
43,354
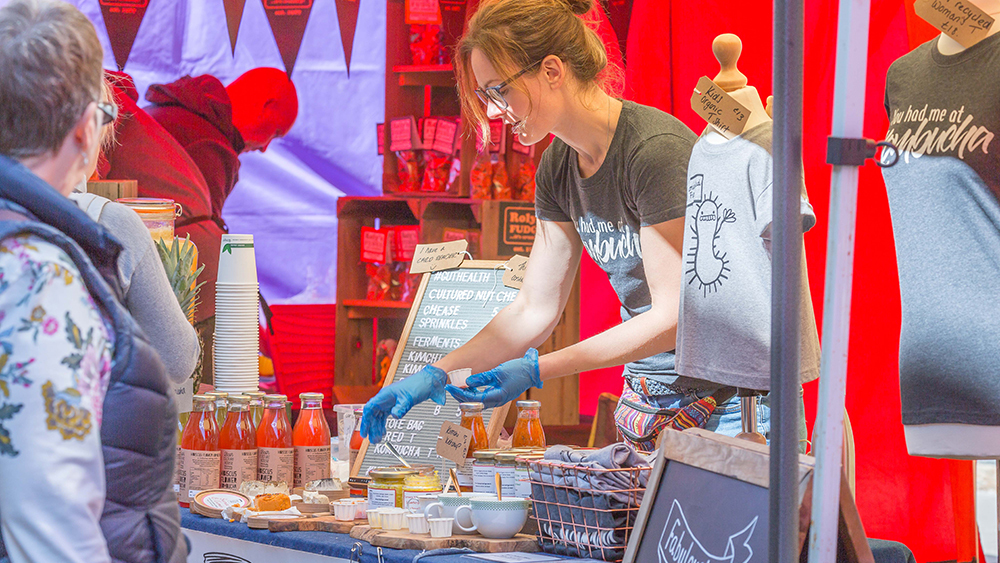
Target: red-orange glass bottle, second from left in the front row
238,444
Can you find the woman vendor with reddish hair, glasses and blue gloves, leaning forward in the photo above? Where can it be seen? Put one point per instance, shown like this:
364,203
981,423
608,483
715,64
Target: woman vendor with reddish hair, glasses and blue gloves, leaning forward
612,182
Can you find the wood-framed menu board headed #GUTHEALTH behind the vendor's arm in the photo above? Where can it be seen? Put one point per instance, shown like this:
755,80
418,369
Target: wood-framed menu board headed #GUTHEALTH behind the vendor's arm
450,307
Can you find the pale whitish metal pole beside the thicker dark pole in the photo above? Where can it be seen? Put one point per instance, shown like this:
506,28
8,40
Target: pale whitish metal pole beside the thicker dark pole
848,121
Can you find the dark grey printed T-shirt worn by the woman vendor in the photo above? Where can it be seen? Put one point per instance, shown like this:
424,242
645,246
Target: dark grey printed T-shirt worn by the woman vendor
640,183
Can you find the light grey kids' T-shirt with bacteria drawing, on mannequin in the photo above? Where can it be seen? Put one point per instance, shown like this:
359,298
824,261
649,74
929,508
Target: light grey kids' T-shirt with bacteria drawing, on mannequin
724,330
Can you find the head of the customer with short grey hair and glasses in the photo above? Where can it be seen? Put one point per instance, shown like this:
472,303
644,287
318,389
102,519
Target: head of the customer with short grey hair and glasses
50,88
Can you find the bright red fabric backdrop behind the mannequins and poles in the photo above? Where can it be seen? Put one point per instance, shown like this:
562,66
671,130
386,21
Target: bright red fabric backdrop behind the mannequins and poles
923,503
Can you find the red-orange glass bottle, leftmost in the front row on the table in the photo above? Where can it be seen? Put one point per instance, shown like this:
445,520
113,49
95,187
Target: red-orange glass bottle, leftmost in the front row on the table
200,457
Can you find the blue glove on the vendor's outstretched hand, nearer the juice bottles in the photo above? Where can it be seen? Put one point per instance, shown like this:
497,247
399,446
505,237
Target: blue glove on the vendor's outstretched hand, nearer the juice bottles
397,399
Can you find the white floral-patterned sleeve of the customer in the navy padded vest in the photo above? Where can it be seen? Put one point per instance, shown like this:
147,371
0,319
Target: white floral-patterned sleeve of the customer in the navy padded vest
55,362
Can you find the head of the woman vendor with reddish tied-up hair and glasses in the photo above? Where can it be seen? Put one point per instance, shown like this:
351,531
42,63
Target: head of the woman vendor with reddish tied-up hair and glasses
541,52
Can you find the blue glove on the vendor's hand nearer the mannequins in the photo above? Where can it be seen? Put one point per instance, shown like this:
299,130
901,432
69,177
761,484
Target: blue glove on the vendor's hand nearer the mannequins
501,384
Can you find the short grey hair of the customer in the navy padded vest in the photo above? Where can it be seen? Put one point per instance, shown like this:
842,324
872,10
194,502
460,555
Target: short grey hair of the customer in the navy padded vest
50,71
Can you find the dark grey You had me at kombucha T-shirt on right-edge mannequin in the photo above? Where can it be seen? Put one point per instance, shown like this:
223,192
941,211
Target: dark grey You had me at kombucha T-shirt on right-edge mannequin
944,197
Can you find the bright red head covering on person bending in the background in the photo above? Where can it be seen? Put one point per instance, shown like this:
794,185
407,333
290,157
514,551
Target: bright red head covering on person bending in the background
265,106
